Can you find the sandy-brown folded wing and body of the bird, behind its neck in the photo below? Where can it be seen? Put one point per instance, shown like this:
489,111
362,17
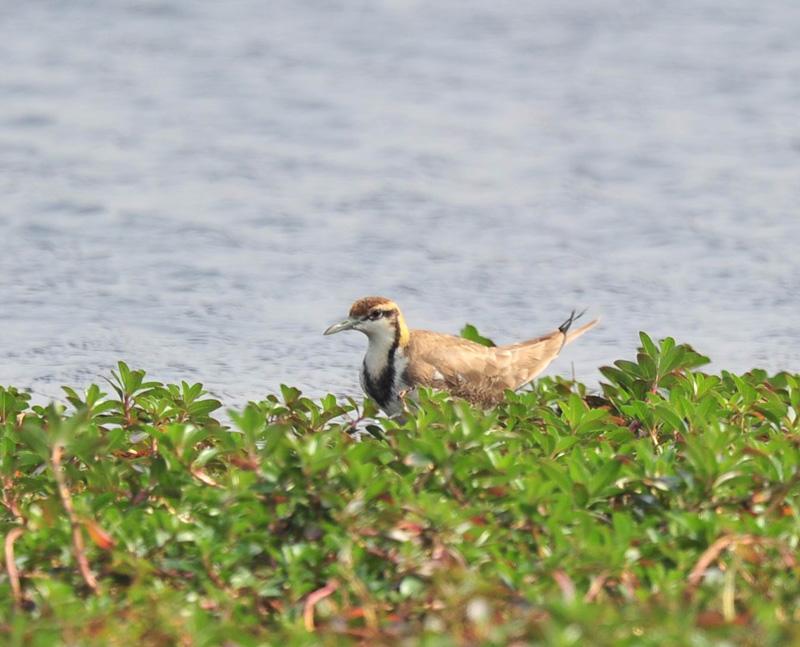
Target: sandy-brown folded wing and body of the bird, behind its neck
479,373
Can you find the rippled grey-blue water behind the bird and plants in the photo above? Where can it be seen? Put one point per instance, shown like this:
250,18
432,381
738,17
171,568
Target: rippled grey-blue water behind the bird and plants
201,188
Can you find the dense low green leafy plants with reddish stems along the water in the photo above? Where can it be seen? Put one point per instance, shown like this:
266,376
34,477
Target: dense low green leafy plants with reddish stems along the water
663,511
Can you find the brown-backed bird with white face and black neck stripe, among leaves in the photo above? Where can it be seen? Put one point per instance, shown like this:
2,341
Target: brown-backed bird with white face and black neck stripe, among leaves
399,359
